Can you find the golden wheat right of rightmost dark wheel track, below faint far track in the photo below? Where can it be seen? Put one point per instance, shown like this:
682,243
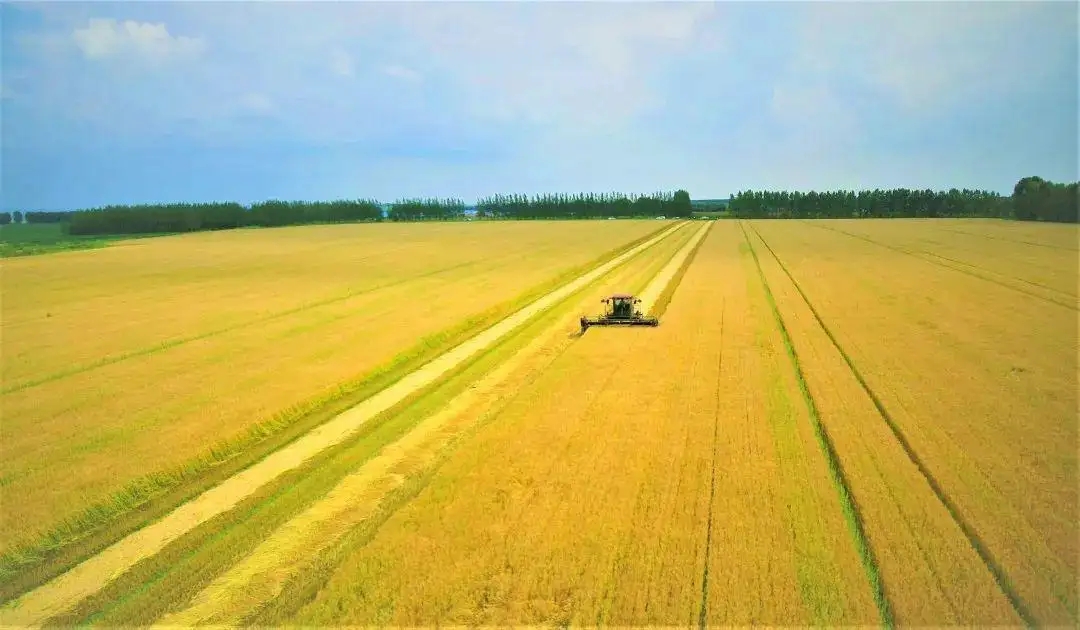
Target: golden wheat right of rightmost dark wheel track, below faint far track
980,380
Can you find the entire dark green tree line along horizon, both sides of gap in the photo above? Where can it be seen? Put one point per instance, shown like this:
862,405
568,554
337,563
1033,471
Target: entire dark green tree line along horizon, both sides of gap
1033,199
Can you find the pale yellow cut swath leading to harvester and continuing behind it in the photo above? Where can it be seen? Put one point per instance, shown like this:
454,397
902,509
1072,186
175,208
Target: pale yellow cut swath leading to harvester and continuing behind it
261,577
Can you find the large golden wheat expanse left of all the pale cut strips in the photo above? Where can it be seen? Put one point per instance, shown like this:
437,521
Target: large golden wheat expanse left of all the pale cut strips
132,359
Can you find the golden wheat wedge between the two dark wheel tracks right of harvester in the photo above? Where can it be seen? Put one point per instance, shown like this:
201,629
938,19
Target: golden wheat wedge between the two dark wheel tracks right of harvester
933,577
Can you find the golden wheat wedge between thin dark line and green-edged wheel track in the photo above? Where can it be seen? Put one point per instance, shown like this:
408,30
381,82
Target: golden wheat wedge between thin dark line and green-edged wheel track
782,489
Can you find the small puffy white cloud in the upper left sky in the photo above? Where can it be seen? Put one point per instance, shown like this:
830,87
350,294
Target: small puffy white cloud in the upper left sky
106,38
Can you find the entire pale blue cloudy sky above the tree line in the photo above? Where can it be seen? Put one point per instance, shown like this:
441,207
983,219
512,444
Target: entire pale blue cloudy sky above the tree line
147,102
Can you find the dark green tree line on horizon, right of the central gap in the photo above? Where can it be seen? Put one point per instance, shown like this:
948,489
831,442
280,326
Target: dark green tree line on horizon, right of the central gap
1033,199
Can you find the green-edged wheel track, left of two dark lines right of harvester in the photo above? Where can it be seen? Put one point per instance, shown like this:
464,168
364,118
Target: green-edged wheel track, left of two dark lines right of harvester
852,515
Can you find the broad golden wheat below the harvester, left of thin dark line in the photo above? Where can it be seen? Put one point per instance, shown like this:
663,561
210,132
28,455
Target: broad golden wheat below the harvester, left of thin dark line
570,485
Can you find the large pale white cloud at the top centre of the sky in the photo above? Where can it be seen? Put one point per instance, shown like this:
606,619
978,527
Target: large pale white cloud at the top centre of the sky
580,65
